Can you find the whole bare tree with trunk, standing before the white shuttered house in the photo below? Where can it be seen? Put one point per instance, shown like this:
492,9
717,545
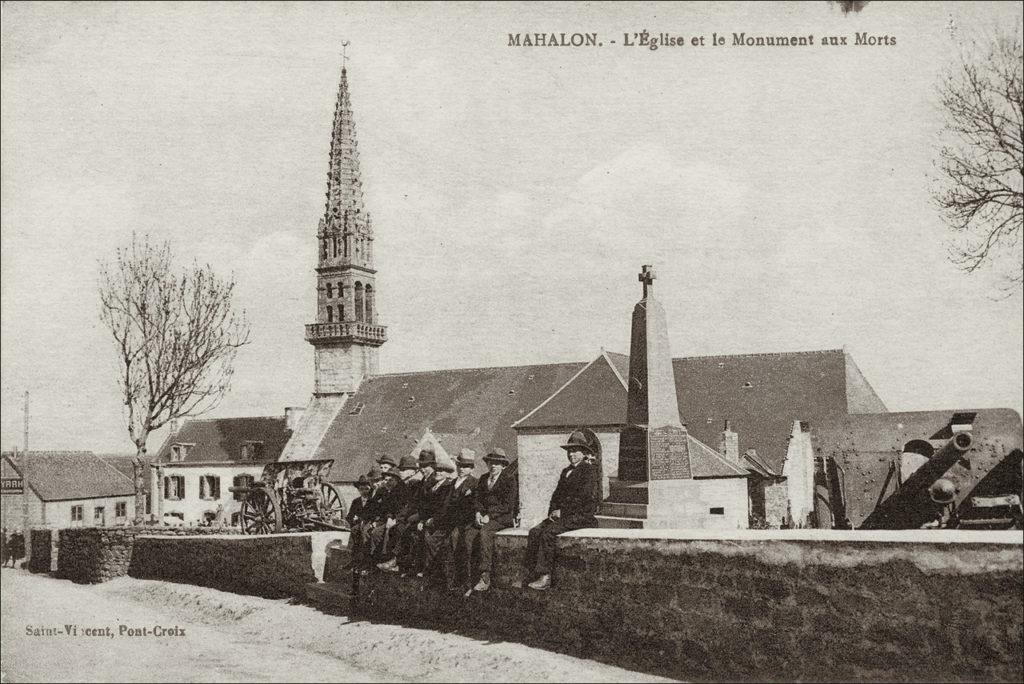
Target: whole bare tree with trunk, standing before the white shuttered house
177,336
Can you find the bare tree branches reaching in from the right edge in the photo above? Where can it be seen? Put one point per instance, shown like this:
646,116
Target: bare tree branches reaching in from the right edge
983,163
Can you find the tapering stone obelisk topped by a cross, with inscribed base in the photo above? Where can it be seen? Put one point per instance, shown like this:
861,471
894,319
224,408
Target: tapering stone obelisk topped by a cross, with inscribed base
654,445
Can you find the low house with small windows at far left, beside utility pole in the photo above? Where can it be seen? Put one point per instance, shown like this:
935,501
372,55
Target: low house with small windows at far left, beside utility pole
66,490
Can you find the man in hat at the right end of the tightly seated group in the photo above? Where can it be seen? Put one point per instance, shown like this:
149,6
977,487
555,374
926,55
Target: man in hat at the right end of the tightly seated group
497,504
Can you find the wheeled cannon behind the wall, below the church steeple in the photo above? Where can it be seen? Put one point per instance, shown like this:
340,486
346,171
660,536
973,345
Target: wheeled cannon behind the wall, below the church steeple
292,496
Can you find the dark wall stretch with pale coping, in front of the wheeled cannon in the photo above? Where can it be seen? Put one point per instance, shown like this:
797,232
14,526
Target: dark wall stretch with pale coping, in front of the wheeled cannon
273,567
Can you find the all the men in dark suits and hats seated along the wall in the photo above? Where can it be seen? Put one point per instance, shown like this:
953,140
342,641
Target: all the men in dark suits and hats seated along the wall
438,522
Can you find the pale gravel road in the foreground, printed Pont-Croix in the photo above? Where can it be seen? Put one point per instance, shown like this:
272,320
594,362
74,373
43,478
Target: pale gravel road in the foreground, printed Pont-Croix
229,637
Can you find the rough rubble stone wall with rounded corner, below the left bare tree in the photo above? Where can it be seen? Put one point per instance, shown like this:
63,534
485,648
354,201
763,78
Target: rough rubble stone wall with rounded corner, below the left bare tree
90,555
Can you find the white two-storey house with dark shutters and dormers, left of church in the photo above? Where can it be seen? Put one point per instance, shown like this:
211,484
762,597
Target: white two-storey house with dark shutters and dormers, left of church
200,460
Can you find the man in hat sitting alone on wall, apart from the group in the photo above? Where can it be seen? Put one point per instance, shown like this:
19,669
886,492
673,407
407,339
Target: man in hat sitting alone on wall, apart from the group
574,505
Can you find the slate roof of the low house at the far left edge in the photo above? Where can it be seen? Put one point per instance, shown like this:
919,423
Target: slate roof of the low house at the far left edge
70,476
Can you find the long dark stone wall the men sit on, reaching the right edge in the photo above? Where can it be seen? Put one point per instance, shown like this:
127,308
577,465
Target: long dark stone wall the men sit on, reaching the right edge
754,605
